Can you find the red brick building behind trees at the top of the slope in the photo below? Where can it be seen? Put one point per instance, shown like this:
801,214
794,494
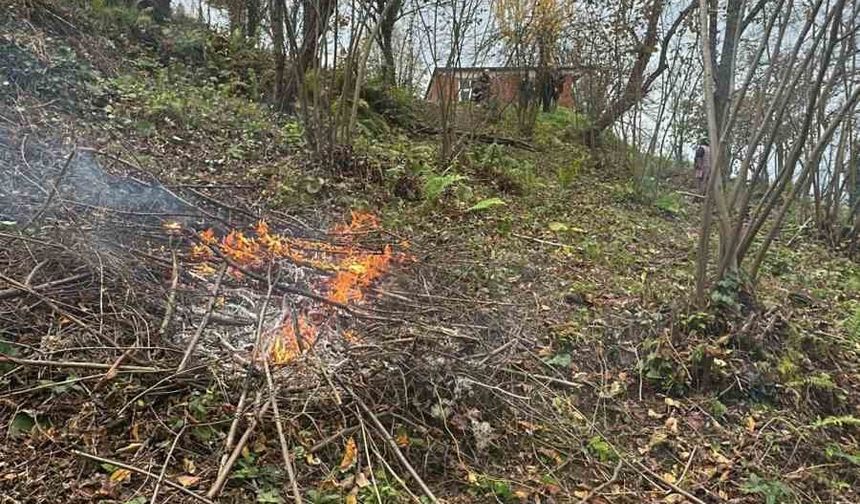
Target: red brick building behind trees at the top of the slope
505,83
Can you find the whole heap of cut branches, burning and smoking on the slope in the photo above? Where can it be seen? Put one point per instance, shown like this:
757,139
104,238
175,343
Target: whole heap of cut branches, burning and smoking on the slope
145,298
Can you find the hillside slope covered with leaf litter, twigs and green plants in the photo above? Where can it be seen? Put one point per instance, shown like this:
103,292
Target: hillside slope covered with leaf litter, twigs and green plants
531,341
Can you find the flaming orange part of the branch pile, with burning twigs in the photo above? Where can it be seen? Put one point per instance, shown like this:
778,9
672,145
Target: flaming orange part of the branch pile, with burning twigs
346,270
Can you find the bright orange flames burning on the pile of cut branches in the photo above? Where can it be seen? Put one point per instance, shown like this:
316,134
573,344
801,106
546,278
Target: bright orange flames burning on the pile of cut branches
352,269
